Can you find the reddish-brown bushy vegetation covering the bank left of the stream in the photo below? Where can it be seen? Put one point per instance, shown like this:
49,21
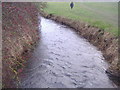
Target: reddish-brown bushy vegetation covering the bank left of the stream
20,33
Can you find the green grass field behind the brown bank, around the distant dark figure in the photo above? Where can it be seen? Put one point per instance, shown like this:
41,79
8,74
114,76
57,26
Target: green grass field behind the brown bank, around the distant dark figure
102,14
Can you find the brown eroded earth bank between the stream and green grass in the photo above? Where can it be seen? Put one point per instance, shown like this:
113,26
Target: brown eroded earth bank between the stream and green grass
106,42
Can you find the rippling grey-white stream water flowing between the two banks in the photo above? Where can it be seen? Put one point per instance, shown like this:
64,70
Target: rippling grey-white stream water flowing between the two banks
63,59
